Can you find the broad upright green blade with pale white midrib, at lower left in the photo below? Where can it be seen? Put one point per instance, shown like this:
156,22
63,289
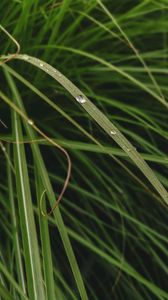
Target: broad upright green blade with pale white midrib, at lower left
29,235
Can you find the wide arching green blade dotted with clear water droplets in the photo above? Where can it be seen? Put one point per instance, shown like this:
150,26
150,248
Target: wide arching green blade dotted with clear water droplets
102,121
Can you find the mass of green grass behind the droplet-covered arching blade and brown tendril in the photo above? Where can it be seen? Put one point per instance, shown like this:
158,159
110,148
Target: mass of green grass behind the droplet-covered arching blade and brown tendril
116,226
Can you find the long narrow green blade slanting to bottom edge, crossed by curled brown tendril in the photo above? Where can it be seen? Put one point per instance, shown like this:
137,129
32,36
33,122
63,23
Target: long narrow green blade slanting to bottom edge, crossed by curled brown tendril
49,190
